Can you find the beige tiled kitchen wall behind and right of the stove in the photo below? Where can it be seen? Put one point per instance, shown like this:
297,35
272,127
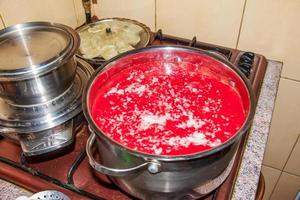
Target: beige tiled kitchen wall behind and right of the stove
264,26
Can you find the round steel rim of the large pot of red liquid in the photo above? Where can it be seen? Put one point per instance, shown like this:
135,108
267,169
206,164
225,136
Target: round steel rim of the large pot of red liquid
201,154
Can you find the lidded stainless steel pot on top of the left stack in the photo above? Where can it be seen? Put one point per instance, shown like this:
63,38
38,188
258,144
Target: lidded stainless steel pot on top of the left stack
37,61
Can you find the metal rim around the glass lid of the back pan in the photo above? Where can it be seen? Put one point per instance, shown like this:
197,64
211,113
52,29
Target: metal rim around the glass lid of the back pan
145,36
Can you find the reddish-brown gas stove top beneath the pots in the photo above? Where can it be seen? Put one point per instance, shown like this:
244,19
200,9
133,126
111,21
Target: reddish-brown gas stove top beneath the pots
68,170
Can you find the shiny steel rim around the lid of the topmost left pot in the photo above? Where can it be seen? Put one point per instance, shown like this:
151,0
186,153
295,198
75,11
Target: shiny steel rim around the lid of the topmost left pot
39,69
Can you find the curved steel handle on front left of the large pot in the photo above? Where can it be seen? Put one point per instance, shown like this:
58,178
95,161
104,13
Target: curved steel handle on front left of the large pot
153,166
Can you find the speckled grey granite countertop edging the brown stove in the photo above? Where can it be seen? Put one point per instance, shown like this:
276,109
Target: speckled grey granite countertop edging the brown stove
249,171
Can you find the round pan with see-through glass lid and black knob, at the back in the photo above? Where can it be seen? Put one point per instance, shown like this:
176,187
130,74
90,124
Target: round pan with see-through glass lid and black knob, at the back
109,37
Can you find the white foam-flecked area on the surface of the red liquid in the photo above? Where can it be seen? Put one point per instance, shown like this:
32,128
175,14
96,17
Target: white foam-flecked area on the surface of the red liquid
161,106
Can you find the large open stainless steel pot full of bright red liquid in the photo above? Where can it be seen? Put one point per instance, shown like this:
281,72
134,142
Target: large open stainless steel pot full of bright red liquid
167,120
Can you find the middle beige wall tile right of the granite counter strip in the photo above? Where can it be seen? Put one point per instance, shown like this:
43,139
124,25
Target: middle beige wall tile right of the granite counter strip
285,125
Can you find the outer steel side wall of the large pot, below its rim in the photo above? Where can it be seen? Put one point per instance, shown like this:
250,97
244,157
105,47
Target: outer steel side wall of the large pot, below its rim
178,179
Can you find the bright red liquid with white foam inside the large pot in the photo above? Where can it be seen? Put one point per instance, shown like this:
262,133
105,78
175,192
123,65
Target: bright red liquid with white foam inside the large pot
170,107
